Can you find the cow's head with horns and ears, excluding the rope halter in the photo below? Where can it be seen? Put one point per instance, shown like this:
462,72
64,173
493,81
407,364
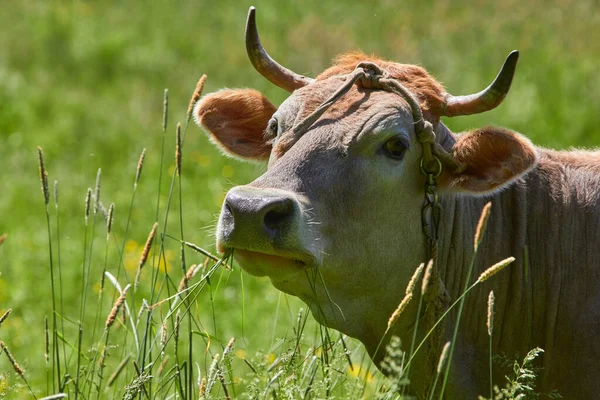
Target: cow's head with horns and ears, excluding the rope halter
336,219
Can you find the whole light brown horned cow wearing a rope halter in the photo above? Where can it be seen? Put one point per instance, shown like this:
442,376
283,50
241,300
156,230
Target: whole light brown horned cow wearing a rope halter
337,218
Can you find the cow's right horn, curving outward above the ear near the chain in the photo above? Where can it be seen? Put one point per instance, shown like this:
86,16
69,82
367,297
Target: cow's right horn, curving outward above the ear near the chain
487,99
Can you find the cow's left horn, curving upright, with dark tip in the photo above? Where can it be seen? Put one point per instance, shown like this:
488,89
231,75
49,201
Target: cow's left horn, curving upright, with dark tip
263,63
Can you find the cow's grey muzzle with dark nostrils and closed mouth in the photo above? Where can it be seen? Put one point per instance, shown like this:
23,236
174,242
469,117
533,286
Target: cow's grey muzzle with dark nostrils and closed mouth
266,227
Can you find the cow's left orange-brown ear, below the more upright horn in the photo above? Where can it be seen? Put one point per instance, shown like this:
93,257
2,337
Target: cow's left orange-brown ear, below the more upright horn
236,120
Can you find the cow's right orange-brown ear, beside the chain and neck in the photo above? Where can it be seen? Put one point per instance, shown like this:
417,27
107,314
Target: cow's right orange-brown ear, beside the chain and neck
492,158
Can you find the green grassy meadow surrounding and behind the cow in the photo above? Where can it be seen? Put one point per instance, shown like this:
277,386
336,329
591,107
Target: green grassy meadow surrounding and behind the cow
85,82
